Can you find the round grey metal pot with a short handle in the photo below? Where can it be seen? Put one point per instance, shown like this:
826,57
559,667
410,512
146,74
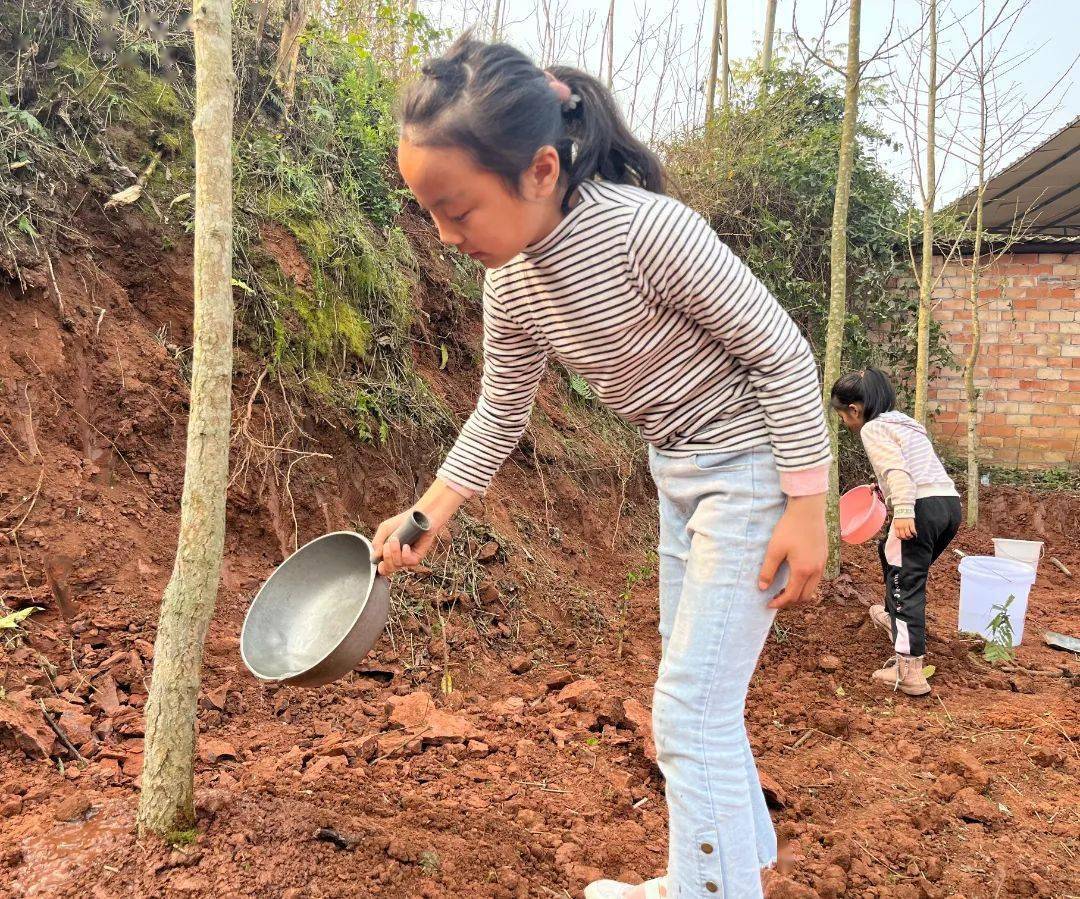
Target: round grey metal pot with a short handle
321,611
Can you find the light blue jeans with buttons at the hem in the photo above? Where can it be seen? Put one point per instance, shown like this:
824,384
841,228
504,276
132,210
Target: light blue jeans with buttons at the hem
718,513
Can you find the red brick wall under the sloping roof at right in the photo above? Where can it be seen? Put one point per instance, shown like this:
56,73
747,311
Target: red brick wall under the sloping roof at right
1029,368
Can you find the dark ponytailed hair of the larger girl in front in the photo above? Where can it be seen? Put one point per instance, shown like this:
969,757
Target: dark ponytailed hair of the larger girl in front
492,100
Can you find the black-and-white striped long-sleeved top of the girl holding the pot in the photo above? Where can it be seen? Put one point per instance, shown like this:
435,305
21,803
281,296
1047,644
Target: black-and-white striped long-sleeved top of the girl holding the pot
636,293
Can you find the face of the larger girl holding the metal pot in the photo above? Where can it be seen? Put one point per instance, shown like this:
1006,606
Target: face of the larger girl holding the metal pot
474,209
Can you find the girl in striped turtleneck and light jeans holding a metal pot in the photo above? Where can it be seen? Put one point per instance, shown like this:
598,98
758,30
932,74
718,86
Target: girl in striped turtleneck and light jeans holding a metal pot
536,177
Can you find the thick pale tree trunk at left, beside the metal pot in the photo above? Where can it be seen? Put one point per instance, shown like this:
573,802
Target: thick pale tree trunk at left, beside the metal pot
167,801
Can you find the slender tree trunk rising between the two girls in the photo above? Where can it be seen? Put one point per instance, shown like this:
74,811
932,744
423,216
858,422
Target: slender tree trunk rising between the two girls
839,276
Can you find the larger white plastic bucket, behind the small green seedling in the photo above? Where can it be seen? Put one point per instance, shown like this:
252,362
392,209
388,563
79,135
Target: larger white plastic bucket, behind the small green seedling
988,582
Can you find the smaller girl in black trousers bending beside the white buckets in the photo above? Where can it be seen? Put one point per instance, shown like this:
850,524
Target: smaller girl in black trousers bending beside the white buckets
926,516
